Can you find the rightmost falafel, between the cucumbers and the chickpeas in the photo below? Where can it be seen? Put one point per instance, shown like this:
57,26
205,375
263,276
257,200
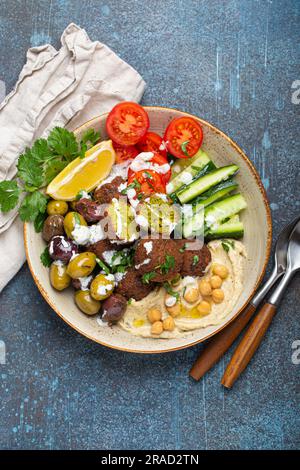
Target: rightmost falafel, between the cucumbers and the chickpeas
195,260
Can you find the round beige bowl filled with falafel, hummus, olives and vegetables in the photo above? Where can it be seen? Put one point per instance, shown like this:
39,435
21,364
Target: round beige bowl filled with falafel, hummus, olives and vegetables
148,242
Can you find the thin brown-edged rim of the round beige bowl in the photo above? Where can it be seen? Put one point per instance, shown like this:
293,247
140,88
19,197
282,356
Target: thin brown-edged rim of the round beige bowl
260,277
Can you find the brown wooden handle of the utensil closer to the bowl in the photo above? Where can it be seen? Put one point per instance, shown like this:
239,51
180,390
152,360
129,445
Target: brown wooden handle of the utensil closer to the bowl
219,343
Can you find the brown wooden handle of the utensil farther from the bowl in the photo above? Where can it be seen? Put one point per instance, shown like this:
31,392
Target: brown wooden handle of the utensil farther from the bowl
249,344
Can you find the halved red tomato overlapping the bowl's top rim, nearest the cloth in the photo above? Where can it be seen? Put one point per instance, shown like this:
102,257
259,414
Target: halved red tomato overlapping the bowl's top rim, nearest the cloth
127,123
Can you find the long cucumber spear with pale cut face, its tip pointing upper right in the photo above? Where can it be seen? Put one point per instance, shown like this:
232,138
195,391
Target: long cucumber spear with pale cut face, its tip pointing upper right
204,183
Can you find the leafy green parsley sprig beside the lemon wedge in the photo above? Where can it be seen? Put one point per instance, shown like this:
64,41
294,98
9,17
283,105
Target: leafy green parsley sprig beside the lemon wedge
37,167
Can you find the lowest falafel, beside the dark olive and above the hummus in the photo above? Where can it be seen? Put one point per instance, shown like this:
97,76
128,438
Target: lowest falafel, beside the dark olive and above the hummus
132,287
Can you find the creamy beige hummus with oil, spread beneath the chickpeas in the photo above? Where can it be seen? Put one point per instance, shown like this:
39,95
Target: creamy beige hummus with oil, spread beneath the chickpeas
230,253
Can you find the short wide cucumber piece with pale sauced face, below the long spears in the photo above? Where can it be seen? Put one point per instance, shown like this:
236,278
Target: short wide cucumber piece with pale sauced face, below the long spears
220,211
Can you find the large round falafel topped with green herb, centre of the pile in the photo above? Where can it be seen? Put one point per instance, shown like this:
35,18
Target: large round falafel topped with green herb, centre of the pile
161,258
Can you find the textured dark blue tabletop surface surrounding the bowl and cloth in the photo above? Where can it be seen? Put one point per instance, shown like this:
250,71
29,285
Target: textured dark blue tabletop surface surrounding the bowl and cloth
233,63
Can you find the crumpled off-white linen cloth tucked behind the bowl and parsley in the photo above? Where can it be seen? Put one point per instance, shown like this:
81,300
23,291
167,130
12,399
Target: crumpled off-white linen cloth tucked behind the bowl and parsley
64,87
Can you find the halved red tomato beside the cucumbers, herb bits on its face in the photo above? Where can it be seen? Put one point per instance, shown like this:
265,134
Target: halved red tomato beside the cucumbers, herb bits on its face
183,137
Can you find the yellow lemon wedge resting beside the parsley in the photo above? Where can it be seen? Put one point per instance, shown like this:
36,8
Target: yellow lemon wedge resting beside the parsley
83,173
